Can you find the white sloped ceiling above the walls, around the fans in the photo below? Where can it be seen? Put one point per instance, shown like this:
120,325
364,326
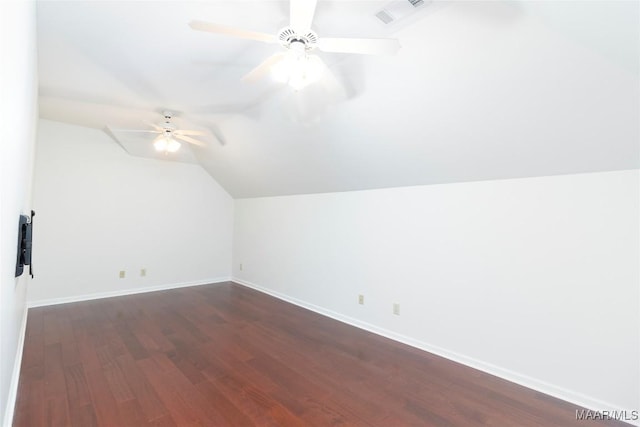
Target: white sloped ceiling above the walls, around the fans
480,90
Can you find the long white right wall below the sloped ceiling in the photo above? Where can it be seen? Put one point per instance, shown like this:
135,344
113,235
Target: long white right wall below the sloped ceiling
533,279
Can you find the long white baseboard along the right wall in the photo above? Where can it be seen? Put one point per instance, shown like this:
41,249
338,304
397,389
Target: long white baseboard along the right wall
515,377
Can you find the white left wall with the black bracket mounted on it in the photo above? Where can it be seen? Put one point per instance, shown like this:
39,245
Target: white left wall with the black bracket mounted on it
18,93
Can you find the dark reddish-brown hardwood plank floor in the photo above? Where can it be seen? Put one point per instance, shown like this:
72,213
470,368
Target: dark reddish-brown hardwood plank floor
225,355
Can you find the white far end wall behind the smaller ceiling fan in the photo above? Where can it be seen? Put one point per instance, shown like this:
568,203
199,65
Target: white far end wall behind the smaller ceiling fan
100,210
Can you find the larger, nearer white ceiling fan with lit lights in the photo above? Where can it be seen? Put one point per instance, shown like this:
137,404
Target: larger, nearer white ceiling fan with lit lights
295,66
